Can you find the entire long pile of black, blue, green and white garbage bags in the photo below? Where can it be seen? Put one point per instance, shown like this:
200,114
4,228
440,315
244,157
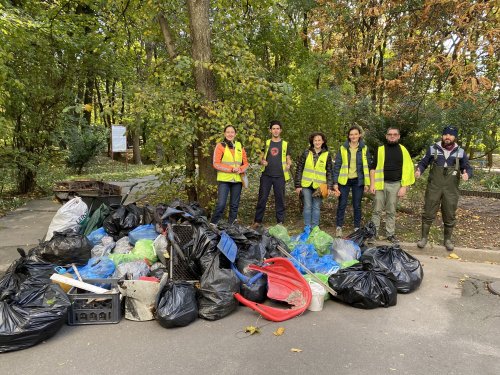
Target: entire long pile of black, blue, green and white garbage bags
141,248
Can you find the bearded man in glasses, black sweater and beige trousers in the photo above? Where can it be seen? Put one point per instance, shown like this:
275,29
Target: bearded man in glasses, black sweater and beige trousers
391,172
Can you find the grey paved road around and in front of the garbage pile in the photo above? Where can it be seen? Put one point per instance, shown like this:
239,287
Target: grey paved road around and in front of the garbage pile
451,325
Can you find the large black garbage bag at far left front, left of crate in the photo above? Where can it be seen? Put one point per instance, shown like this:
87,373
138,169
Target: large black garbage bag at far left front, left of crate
35,313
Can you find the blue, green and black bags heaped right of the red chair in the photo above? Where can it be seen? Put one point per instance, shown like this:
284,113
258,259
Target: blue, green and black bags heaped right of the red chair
361,277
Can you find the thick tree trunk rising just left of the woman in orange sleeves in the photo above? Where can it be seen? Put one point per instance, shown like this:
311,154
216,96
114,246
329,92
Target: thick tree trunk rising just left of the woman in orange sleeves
205,85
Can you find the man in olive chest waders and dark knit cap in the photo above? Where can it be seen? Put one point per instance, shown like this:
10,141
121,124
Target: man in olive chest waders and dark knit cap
448,163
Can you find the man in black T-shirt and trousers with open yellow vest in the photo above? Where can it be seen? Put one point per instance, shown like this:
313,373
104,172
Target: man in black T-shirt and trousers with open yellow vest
276,162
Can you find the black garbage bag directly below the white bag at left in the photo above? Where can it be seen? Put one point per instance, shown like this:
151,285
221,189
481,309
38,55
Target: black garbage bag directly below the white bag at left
64,248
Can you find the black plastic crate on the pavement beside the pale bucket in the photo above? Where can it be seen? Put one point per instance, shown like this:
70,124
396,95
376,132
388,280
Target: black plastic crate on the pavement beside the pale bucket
93,308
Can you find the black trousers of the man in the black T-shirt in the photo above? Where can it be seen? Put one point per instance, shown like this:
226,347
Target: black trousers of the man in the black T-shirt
278,184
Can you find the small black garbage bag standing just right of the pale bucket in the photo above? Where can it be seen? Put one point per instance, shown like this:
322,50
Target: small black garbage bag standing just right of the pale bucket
176,304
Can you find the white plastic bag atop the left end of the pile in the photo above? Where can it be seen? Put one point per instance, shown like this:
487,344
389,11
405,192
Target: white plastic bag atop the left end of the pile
69,216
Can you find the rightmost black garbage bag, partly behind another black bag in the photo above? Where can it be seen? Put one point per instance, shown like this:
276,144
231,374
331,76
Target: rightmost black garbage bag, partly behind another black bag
405,270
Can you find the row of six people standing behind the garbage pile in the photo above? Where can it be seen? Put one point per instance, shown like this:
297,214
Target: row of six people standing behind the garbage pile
351,170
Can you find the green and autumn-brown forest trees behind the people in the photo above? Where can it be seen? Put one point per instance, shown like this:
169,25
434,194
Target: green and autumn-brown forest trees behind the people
176,72
